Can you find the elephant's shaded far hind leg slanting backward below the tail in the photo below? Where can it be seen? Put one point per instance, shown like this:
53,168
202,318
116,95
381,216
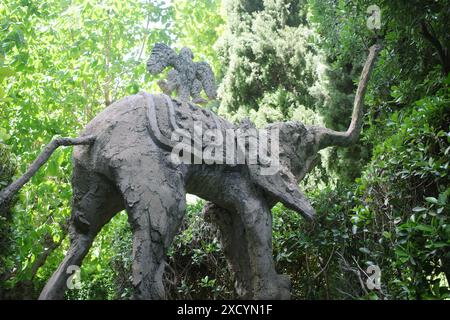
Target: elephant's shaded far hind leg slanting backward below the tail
95,202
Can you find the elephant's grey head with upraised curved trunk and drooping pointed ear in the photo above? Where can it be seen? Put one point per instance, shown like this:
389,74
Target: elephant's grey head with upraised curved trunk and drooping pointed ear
299,146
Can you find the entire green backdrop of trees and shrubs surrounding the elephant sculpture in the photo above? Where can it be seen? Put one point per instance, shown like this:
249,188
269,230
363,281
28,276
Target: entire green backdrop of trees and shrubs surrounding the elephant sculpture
61,62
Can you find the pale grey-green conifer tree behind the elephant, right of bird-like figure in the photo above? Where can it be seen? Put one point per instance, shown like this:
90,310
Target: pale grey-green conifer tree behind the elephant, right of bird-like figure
267,75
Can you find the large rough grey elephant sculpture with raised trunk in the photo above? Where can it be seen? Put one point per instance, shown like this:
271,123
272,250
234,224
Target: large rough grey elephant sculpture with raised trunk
129,167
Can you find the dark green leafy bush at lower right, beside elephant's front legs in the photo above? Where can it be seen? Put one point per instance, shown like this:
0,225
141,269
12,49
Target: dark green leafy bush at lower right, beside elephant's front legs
395,216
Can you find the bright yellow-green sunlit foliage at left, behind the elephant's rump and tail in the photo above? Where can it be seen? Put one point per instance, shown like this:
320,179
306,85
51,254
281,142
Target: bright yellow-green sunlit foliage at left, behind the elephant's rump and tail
61,62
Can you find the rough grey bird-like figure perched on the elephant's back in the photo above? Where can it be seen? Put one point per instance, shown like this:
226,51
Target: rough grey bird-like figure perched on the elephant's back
187,77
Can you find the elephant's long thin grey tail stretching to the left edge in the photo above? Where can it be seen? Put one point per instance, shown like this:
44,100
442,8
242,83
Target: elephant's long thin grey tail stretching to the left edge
7,193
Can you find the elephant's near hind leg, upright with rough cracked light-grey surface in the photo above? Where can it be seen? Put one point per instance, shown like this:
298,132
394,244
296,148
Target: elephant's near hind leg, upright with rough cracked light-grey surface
155,201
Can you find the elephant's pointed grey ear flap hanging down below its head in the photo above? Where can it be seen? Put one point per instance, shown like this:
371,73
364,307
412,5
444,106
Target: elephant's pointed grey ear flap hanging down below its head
283,187
